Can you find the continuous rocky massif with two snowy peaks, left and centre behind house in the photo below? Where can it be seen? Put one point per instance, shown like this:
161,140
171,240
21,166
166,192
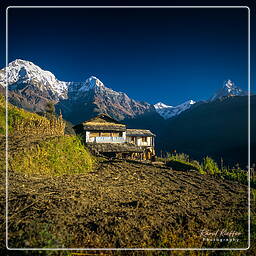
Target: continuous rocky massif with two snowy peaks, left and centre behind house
32,88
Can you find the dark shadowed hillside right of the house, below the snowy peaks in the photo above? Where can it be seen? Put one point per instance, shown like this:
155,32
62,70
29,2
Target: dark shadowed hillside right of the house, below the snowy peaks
217,129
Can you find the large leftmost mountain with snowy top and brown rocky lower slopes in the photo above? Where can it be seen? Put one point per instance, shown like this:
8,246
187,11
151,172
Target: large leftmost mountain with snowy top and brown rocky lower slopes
30,87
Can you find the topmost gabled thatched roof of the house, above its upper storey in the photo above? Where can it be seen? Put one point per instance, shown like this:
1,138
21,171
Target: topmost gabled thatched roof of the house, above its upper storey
101,122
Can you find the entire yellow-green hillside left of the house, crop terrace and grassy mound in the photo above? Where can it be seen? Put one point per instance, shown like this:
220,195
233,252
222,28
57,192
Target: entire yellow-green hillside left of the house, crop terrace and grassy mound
39,146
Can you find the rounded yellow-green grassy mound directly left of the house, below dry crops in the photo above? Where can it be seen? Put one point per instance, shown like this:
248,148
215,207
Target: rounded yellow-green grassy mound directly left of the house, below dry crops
55,156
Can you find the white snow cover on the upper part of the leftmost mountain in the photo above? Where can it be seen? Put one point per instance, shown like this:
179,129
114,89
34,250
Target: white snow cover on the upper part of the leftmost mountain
22,71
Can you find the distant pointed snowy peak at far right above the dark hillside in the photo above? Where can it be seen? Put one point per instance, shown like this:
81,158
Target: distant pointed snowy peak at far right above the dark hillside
229,89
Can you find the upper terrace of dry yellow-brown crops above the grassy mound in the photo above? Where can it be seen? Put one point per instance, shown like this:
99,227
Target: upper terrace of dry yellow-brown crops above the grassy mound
22,122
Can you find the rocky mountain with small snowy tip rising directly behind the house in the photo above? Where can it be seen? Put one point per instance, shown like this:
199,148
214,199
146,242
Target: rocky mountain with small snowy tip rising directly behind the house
92,97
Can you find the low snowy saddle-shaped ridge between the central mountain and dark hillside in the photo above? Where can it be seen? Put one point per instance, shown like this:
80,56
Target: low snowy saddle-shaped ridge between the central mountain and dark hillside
169,111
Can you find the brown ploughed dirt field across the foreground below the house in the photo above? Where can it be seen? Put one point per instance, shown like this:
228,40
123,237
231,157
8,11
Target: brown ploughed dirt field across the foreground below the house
121,204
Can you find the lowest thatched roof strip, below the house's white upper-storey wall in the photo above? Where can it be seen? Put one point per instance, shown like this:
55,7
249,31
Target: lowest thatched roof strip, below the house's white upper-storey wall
114,147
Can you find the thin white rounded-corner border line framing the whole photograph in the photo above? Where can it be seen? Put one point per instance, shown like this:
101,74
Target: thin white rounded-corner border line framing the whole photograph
138,249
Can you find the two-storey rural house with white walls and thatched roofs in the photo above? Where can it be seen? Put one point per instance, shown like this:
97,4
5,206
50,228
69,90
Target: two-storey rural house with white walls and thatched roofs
105,135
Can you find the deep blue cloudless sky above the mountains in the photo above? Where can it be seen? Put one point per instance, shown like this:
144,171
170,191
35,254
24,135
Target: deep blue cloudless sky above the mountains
167,55
